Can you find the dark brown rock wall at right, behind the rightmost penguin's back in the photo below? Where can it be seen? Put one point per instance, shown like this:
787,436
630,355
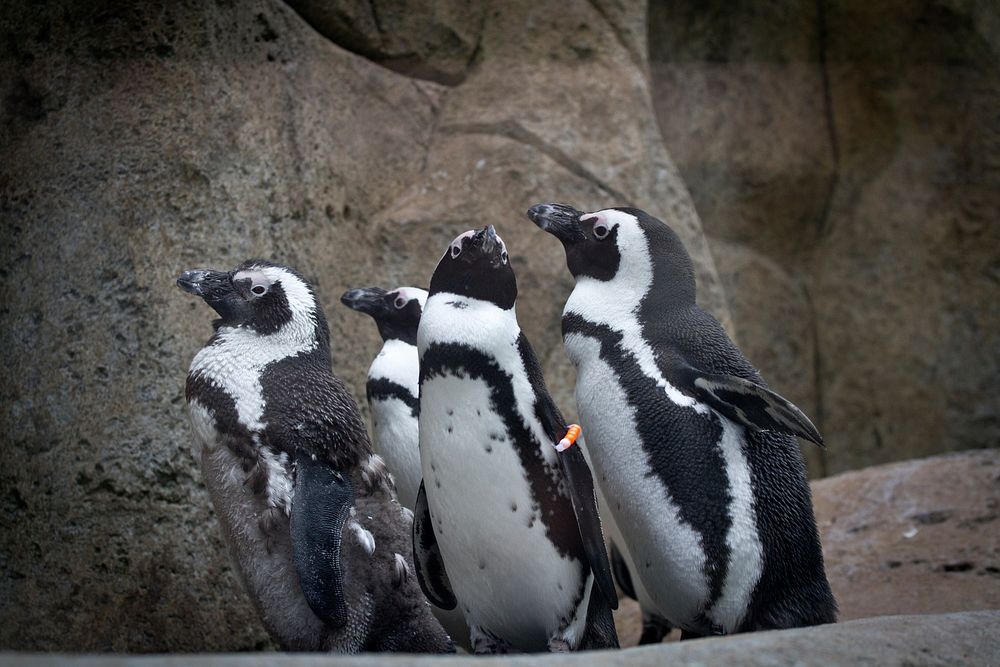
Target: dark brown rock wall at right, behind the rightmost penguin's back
854,144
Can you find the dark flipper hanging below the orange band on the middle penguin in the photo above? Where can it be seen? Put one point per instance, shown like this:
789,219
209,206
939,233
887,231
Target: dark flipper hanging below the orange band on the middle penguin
581,489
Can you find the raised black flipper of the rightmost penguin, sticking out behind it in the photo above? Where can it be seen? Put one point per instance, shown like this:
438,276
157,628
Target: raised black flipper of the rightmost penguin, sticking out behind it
748,403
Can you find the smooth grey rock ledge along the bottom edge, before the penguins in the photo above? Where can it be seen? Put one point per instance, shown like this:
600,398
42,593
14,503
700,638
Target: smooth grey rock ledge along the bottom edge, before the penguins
907,641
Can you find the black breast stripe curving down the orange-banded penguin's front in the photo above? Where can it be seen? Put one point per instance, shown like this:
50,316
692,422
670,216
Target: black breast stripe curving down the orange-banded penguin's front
550,498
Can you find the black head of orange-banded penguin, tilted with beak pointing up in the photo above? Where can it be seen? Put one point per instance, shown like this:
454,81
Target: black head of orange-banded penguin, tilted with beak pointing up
476,265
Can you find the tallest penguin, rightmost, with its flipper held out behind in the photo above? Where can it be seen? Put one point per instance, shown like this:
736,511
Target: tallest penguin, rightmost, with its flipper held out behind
692,451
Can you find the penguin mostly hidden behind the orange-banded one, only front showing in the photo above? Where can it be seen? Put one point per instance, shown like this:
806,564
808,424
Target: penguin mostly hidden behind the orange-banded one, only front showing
393,380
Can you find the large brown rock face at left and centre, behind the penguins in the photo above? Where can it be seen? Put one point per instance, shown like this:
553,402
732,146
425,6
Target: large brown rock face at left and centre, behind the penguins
139,141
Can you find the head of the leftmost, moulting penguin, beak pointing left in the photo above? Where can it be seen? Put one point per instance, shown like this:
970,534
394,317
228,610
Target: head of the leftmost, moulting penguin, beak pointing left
259,296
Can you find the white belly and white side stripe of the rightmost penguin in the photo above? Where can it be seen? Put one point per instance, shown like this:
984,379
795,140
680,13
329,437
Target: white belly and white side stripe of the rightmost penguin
667,552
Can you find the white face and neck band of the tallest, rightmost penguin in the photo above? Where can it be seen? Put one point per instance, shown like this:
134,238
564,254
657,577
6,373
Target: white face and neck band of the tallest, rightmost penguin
615,303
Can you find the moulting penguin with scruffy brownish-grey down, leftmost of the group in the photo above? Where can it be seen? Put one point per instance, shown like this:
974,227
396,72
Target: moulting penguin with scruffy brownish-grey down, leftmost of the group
308,512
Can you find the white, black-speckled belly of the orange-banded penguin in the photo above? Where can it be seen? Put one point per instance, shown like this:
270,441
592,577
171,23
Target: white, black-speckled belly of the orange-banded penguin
507,575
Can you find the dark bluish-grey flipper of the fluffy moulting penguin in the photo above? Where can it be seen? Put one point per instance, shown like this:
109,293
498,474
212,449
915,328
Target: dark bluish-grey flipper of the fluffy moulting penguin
320,507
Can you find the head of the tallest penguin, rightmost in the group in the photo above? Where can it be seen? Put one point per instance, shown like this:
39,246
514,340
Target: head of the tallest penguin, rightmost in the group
620,244
